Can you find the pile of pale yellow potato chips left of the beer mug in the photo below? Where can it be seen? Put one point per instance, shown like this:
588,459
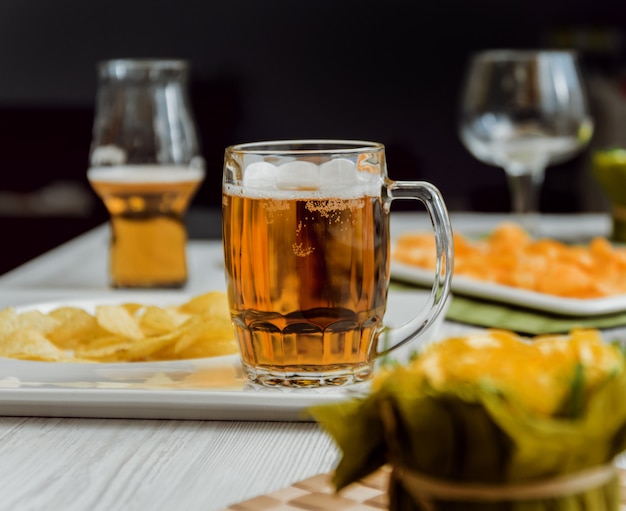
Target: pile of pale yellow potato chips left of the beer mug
128,332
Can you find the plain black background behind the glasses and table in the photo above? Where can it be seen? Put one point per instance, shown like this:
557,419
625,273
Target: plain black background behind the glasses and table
388,71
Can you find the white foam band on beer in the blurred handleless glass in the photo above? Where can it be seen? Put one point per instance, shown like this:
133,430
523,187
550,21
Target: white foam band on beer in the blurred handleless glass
145,174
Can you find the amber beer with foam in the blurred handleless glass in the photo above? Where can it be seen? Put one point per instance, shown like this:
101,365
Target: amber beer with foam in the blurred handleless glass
146,206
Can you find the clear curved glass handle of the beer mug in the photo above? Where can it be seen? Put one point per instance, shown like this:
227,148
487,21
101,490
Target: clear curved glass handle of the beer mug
430,196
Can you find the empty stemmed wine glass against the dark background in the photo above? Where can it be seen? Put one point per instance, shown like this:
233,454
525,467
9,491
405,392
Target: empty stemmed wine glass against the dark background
524,110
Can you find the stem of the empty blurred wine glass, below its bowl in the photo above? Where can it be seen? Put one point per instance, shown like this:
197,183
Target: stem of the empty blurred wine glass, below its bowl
525,189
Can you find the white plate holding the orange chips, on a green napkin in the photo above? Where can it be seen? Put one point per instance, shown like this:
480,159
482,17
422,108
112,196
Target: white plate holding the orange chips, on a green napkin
514,296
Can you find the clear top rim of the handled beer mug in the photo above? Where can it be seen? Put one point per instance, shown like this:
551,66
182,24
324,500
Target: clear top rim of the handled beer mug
306,146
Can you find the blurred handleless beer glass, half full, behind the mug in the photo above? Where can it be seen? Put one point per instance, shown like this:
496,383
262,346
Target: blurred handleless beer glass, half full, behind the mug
145,165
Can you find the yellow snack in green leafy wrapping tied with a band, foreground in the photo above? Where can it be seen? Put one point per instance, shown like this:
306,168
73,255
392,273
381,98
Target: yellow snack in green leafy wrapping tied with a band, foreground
490,411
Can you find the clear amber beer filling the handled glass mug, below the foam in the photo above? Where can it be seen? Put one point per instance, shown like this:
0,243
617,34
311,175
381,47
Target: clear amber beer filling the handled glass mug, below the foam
307,280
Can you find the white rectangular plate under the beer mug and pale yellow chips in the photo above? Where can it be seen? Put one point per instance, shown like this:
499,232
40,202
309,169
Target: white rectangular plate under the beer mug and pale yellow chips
199,389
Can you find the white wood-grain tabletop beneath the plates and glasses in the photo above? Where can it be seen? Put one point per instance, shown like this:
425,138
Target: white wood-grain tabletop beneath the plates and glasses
135,464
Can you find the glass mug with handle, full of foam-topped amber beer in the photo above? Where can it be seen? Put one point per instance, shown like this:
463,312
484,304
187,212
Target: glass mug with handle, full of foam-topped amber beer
306,246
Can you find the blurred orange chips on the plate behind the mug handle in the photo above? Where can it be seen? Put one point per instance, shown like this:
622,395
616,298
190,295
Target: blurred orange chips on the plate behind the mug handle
510,256
